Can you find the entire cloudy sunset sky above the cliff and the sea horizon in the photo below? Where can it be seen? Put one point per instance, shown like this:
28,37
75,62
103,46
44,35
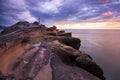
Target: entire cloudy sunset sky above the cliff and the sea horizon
73,14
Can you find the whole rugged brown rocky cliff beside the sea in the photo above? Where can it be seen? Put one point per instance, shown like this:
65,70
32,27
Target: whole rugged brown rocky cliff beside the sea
29,51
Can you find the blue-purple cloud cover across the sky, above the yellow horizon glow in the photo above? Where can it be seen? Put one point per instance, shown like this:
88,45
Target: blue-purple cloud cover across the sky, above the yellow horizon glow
67,10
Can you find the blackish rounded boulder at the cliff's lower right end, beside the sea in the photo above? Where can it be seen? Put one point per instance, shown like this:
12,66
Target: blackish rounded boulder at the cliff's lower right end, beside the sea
85,62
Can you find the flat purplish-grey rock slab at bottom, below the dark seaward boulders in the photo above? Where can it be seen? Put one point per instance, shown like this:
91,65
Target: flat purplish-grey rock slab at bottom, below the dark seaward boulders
63,71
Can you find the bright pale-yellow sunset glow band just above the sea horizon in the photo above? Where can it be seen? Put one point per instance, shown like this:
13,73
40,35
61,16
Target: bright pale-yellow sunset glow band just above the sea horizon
109,24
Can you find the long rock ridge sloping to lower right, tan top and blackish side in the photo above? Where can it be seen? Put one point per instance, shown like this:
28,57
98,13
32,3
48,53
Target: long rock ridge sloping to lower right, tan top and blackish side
73,57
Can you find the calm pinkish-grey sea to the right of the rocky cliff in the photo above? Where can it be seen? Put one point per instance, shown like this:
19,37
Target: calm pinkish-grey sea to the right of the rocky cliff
104,47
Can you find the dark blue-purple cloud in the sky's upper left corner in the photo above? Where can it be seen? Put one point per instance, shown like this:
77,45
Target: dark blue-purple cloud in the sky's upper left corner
9,11
